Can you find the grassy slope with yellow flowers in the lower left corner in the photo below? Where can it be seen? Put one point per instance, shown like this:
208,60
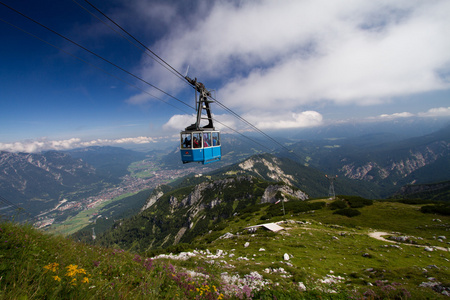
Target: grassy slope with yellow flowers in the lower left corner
35,265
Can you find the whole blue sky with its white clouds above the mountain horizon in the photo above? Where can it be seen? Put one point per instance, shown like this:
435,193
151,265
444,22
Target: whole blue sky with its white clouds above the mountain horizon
279,64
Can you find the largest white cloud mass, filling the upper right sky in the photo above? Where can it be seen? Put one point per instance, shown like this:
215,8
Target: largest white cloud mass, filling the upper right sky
286,56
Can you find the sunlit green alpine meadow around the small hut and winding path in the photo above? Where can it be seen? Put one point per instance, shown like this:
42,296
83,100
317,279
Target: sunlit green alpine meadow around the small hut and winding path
341,245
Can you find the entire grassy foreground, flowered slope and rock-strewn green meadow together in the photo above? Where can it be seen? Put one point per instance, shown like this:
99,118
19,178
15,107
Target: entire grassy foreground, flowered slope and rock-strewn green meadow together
331,256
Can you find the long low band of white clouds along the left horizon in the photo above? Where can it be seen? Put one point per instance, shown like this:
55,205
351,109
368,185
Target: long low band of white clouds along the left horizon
32,146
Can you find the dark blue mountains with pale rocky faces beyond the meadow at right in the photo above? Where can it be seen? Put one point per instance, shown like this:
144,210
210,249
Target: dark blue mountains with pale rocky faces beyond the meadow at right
389,165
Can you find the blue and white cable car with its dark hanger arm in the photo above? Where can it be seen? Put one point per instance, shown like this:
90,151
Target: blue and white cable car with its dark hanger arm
200,144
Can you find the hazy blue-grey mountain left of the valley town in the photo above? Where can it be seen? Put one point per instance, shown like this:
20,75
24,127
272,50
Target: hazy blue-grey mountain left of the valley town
37,181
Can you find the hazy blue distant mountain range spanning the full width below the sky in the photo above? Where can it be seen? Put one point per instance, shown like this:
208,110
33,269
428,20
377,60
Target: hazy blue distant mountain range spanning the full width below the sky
372,166
